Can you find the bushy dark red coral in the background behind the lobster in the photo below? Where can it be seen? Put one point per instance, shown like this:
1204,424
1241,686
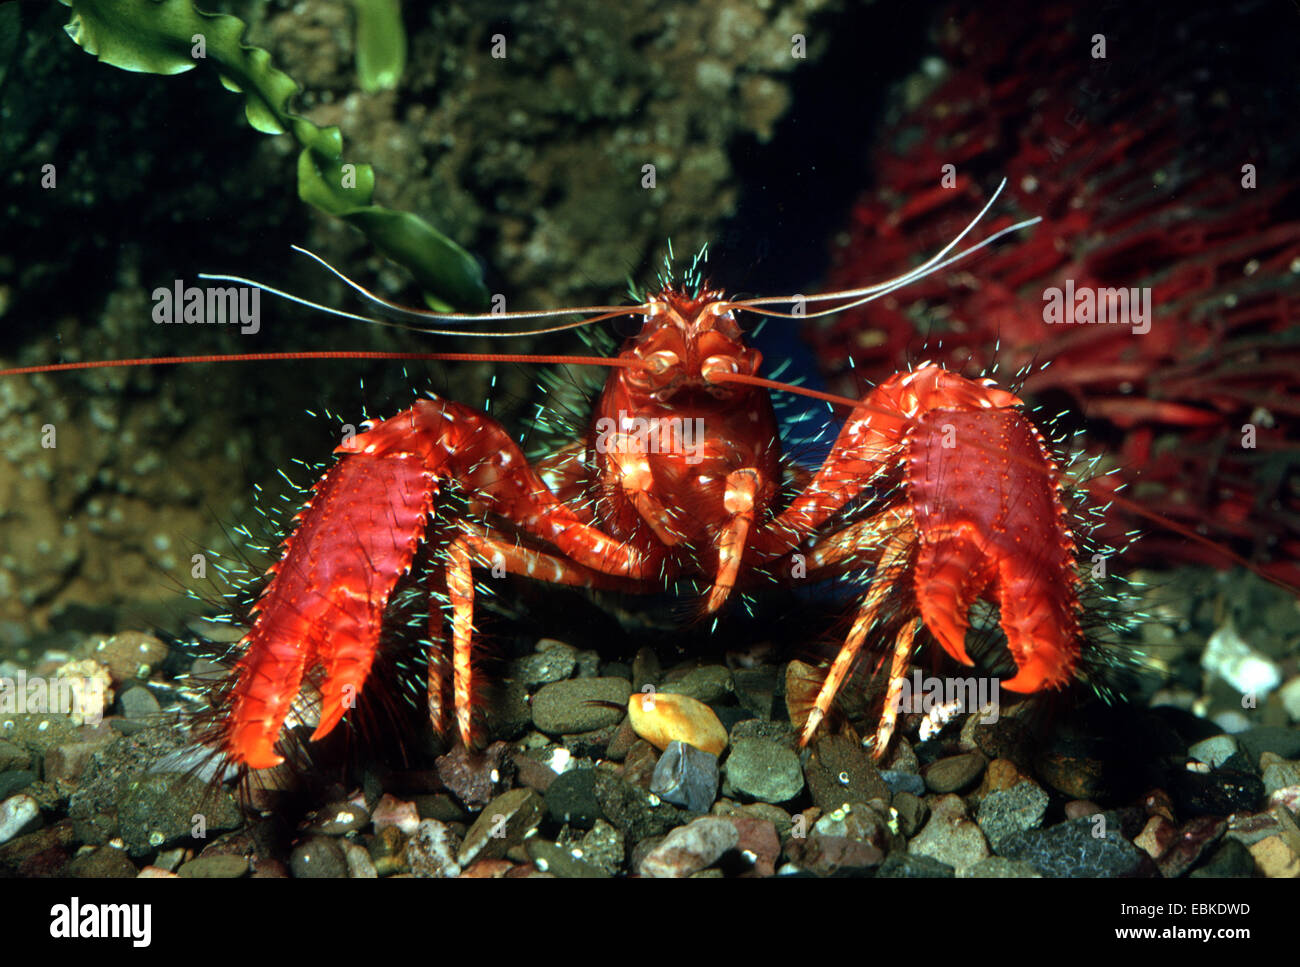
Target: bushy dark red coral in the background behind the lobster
1137,168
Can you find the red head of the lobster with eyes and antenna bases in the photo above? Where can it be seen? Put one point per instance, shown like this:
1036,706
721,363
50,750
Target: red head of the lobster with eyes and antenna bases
686,342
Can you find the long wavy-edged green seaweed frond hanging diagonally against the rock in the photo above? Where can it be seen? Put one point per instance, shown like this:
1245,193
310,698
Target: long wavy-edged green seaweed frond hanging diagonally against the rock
171,37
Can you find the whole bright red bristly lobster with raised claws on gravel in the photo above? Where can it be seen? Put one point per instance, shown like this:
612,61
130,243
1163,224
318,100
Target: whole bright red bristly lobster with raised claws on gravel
681,478
